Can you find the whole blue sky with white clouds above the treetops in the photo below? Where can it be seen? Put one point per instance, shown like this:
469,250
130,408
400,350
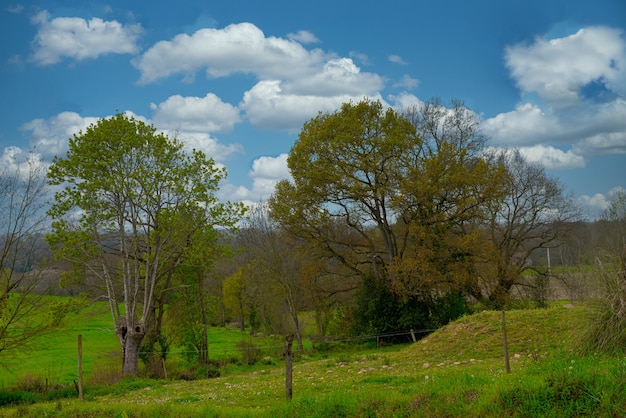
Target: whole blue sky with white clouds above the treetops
238,79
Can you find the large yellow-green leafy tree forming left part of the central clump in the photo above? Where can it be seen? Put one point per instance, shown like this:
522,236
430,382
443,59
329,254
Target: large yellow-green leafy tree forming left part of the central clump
345,167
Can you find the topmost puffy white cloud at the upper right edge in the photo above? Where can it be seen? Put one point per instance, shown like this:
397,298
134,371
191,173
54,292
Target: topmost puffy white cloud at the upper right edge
556,69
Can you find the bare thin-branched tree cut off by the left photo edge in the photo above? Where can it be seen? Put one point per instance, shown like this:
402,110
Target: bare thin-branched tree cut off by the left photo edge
25,312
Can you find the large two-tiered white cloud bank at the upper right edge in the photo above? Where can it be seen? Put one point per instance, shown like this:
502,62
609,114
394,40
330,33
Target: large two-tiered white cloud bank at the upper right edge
581,81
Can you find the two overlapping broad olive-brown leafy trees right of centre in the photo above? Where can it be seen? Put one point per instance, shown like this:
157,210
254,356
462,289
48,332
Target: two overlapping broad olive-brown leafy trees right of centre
392,195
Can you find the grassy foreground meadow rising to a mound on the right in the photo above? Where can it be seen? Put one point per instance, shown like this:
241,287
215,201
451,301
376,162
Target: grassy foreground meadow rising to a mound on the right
458,370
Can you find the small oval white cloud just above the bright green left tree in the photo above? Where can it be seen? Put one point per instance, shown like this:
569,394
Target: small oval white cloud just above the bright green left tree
195,114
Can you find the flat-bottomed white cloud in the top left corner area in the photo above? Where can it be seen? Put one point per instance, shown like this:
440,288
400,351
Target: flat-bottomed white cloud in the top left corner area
79,39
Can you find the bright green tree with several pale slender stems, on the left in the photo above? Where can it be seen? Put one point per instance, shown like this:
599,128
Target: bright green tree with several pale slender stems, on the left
118,217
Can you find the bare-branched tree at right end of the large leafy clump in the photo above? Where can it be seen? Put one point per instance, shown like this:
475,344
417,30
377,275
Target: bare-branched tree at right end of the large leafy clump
533,215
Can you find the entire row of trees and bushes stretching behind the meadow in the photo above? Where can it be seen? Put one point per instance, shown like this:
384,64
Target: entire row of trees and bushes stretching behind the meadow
392,219
